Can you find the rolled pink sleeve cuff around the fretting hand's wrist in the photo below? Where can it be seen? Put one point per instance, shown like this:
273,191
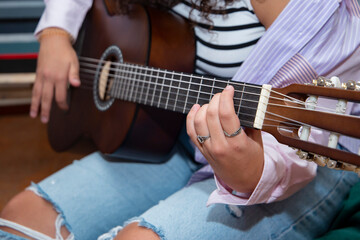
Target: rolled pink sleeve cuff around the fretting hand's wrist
284,174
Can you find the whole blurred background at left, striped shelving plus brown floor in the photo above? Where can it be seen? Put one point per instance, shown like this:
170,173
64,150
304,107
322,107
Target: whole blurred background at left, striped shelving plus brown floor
25,154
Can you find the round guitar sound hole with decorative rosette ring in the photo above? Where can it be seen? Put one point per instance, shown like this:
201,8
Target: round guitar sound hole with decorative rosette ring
104,77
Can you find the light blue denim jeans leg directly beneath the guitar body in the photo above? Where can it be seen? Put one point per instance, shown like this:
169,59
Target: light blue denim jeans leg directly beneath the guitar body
94,195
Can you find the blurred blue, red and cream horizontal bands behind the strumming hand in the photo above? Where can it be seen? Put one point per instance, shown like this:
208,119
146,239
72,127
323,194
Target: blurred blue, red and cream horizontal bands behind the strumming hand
18,50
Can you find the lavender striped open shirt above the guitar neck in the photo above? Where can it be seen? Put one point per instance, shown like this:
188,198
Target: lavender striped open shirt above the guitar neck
309,38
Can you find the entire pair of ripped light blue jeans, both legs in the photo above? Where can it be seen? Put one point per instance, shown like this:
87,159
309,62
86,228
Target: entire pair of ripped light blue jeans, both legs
96,198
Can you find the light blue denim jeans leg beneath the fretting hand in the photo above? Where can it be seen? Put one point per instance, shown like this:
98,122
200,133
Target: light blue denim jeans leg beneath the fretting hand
304,215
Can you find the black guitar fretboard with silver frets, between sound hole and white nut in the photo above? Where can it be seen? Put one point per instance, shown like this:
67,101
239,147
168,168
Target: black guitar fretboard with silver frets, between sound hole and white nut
176,91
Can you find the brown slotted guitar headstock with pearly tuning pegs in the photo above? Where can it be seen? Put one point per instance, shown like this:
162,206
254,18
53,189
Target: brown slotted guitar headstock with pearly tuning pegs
295,111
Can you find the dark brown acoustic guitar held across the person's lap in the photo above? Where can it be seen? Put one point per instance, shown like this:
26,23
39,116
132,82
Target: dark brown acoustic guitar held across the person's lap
136,89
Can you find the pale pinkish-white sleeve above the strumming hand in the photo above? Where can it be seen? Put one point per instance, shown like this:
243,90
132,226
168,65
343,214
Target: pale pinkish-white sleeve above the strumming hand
66,14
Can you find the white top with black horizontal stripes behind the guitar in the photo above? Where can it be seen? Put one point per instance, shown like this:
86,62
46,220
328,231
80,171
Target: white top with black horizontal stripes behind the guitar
221,50
